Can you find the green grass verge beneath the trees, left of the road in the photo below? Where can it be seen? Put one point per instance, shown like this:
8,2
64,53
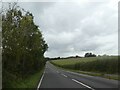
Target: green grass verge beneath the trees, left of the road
30,82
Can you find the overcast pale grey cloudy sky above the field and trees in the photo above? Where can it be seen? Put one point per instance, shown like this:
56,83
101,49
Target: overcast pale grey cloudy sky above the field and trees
76,27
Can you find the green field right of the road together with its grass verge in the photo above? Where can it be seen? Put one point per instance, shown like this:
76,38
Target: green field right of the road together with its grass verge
106,67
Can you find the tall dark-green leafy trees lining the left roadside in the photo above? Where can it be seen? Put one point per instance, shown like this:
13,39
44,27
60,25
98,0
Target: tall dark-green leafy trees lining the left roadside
23,45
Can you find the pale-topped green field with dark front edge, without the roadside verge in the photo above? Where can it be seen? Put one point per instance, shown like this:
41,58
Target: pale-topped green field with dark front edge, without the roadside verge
104,64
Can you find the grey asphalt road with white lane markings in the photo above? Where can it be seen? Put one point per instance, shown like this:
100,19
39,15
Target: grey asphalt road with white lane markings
57,78
